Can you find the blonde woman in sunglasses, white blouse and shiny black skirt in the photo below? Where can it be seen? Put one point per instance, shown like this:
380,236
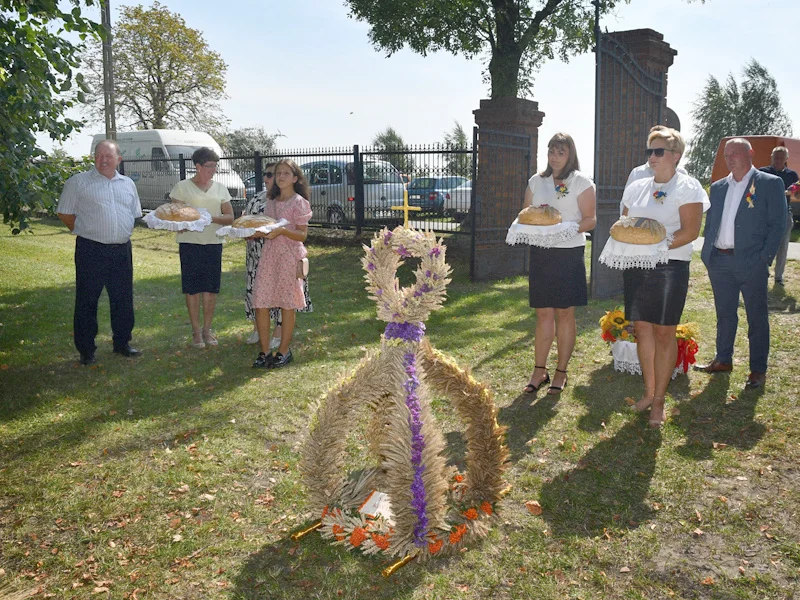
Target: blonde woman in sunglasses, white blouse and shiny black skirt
654,298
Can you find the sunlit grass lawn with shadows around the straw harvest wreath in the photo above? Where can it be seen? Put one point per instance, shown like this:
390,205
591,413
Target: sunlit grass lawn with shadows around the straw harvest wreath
175,475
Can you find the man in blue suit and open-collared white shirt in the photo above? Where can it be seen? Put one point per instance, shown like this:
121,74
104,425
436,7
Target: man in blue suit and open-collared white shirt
743,231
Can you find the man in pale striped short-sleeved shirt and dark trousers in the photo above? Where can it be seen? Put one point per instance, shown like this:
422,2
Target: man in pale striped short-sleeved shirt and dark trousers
100,206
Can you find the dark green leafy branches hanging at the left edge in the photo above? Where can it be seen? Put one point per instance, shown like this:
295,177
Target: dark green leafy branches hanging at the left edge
38,85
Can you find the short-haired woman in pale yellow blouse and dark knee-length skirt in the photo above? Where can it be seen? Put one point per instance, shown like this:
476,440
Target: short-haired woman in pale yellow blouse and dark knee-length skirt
201,251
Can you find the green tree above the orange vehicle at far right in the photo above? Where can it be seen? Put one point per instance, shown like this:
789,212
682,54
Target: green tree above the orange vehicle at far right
750,108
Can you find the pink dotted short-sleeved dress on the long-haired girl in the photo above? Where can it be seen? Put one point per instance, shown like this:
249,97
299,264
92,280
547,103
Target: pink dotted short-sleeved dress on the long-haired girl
276,284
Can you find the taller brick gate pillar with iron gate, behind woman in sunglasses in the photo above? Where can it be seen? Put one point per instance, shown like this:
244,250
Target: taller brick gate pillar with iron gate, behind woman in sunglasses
632,65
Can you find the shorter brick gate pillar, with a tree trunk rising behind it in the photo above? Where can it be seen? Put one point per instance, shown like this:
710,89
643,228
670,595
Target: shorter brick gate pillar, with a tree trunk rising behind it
508,131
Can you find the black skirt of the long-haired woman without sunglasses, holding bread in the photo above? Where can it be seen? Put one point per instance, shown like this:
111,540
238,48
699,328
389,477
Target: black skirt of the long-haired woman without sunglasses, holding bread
557,278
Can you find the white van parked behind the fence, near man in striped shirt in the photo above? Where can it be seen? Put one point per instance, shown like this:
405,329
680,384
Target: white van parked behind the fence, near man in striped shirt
150,158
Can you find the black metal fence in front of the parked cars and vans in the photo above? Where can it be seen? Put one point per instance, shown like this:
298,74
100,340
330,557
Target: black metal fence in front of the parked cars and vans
350,187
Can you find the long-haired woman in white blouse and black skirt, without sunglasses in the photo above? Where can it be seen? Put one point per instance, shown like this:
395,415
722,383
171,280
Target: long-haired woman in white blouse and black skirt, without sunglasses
557,280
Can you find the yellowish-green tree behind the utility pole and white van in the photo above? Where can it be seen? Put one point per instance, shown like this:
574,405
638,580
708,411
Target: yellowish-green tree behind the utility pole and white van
165,75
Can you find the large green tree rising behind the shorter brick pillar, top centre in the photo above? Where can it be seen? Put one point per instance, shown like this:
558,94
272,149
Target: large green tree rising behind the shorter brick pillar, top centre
517,35
